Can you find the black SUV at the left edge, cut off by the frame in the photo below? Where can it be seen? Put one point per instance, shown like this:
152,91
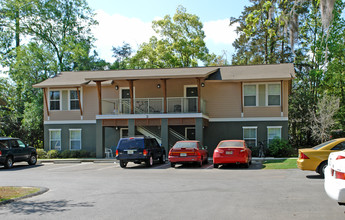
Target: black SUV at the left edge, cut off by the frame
14,150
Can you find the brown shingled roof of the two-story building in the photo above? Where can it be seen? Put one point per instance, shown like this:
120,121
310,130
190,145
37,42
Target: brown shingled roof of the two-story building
224,73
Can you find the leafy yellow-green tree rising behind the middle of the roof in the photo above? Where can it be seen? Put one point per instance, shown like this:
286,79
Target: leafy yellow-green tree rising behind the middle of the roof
180,43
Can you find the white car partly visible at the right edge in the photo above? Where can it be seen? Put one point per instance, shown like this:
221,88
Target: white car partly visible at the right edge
335,177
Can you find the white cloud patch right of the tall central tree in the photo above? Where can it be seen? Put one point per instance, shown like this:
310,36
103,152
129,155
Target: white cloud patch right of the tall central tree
219,32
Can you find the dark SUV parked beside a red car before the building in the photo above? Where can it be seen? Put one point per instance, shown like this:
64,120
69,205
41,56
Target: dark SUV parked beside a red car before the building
139,149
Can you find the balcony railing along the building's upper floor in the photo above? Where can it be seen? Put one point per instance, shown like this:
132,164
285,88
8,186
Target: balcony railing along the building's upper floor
152,105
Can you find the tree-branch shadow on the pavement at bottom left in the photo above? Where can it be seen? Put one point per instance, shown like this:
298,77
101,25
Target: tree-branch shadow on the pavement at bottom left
42,208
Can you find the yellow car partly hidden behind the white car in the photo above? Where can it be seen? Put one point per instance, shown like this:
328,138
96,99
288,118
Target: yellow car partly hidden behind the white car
315,159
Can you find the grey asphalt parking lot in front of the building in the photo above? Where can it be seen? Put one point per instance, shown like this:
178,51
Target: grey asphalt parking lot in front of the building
106,191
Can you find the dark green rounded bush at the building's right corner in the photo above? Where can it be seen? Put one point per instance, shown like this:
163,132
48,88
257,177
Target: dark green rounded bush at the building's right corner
279,148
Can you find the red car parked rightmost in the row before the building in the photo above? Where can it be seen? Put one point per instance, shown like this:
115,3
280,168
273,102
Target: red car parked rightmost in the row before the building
232,151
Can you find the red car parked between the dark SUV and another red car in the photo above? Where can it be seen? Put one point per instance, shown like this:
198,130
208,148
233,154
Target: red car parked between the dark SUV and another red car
188,152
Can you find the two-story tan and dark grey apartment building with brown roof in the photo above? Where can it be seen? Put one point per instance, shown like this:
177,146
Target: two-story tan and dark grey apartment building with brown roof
92,110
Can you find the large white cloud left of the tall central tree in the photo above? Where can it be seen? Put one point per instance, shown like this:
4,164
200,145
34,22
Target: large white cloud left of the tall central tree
115,29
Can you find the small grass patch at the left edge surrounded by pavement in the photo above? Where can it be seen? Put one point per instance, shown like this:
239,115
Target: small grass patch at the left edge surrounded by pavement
9,192
